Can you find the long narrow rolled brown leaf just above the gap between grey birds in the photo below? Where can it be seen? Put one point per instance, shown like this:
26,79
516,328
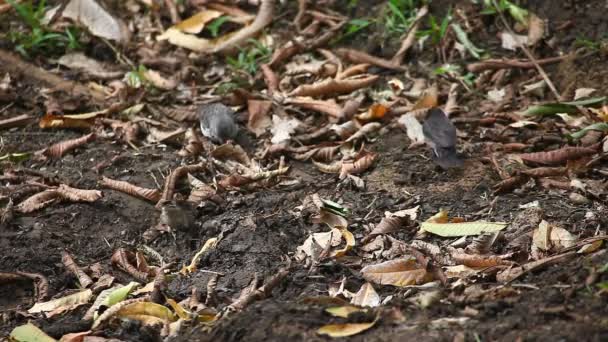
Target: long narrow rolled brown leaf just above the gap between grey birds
332,86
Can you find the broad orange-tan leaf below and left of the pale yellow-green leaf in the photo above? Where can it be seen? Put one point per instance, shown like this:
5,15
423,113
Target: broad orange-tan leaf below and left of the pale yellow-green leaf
400,272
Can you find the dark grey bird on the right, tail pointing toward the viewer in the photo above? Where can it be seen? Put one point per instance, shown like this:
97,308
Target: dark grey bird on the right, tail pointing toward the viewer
440,135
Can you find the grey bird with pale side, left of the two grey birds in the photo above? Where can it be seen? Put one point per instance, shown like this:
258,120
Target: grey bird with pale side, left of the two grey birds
217,122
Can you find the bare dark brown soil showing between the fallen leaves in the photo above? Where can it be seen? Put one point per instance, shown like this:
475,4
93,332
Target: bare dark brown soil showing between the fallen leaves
262,228
